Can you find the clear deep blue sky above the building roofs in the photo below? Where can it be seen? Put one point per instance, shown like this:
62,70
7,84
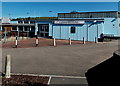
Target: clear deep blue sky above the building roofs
50,9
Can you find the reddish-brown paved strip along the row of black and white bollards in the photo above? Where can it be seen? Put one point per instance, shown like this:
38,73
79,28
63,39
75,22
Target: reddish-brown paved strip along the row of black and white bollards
31,42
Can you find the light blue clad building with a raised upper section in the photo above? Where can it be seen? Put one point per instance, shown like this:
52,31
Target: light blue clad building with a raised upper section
76,25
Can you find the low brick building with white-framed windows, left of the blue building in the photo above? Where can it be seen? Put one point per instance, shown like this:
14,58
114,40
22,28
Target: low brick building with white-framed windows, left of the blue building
16,28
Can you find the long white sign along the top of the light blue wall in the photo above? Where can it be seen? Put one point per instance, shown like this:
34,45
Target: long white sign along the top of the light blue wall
69,22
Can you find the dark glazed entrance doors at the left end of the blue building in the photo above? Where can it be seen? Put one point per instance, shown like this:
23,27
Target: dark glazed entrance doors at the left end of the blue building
43,30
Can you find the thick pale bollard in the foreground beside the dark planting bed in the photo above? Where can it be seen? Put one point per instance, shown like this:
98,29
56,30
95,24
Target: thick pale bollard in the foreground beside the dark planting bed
8,66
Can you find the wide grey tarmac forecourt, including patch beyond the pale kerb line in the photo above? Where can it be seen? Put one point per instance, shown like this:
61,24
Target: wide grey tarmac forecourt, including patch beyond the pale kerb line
64,60
